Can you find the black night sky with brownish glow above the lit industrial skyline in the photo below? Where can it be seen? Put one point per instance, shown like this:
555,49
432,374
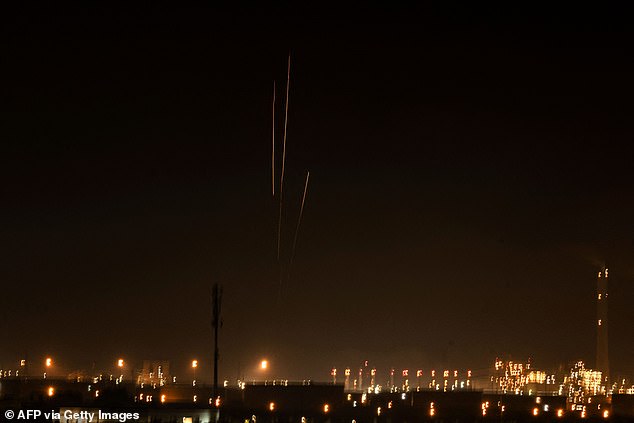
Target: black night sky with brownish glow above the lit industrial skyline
471,171
